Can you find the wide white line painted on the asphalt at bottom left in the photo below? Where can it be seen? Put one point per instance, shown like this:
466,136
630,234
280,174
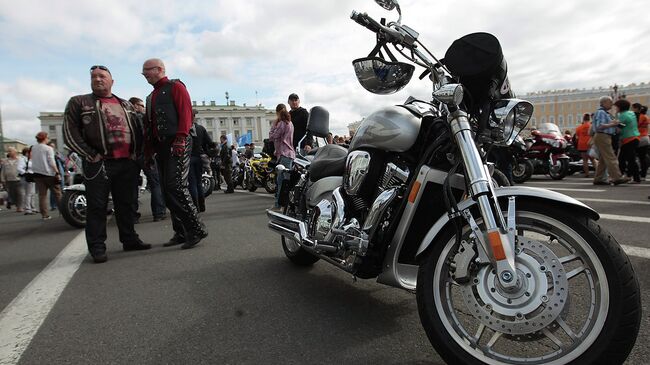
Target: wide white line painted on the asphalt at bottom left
22,318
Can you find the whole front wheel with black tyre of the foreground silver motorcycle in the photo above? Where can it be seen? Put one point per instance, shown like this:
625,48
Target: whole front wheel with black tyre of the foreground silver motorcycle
577,300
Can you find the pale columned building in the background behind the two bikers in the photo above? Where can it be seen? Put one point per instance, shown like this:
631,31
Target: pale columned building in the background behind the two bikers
233,119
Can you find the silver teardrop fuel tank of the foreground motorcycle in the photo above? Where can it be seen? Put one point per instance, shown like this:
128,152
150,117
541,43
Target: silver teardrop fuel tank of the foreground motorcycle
392,128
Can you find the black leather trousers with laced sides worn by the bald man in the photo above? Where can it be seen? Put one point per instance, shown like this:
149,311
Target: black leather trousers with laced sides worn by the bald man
173,172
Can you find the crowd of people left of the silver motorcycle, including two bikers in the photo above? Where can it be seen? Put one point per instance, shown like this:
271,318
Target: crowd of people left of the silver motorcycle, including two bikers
112,140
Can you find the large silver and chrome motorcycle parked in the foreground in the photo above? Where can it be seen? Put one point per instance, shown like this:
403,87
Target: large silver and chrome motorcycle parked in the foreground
502,275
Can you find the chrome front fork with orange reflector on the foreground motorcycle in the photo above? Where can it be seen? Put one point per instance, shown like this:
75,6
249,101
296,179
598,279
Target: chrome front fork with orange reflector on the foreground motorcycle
498,237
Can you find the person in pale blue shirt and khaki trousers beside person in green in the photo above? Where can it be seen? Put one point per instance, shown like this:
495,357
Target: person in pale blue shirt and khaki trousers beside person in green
604,127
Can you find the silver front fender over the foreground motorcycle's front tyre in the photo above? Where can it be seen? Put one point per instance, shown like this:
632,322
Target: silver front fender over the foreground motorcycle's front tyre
502,193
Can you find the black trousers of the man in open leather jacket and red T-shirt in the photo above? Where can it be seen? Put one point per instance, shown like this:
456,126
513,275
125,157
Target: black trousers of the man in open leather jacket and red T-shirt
116,177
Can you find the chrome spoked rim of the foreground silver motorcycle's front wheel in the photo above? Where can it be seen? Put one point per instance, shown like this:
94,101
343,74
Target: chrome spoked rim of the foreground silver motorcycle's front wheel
557,338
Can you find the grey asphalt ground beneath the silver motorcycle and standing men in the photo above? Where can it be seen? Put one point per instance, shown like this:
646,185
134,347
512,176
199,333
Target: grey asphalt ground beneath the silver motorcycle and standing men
235,298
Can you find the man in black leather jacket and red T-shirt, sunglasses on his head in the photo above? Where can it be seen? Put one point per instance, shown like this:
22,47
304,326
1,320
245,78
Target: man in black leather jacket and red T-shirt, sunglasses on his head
102,129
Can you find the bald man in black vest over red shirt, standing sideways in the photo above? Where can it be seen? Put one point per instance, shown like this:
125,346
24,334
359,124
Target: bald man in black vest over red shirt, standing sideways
168,120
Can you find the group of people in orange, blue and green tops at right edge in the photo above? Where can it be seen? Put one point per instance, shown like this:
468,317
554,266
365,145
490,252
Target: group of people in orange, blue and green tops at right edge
615,140
